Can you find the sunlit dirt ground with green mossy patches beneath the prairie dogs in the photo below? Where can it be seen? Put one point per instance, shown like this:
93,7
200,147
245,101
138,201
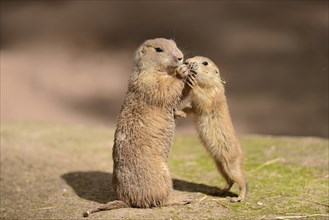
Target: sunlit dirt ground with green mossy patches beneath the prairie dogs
58,171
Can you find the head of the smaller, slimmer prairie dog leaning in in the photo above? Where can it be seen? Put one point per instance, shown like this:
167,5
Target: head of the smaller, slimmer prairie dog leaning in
207,73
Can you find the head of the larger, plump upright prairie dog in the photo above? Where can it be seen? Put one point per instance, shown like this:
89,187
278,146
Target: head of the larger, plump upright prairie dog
160,54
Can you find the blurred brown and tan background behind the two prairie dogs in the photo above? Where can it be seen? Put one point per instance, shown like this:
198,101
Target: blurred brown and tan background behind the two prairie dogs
69,61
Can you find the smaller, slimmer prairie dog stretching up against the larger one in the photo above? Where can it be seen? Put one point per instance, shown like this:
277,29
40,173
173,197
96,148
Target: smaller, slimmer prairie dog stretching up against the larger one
212,118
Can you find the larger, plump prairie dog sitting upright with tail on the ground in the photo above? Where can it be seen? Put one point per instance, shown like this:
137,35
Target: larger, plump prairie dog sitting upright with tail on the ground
145,128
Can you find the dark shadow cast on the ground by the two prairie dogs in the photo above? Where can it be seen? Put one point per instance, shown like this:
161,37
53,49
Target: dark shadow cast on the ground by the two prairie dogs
97,186
